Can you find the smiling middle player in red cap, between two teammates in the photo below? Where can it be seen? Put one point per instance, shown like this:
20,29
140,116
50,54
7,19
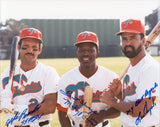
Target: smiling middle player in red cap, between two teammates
72,85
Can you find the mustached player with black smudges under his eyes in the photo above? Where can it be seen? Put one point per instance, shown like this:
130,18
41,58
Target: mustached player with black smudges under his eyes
34,85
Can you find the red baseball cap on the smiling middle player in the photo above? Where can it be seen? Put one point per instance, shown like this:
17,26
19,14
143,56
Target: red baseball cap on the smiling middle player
87,36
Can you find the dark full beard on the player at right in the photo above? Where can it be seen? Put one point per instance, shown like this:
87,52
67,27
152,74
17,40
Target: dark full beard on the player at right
133,53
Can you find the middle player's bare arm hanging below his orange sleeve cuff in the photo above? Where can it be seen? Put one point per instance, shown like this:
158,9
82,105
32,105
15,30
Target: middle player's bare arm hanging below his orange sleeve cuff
64,119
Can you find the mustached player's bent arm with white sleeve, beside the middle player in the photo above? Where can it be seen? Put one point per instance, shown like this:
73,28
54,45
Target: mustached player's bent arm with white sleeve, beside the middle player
48,105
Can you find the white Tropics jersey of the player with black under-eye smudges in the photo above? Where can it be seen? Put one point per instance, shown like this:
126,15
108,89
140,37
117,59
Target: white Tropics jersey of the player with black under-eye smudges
38,82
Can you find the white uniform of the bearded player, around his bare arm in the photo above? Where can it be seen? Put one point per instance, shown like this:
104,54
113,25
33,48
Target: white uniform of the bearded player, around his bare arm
143,77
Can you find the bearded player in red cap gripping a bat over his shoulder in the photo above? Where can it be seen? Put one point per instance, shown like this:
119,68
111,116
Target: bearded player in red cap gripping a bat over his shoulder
140,88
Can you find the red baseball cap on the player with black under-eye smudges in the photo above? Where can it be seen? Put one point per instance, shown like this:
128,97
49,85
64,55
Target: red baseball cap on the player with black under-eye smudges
31,33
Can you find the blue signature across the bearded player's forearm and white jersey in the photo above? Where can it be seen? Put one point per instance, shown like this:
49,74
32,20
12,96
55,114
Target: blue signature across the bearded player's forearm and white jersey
145,111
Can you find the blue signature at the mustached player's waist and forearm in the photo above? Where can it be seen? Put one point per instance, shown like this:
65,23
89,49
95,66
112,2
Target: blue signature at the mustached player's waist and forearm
23,117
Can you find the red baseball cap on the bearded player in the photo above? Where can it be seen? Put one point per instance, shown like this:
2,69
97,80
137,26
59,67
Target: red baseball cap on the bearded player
132,26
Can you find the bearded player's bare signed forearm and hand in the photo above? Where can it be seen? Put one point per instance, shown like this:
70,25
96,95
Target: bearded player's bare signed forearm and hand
137,108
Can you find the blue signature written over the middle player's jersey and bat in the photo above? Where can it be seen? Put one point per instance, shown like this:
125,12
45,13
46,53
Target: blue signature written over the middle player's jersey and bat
69,103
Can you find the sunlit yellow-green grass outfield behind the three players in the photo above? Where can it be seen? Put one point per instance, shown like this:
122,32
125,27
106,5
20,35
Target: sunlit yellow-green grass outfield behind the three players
116,64
